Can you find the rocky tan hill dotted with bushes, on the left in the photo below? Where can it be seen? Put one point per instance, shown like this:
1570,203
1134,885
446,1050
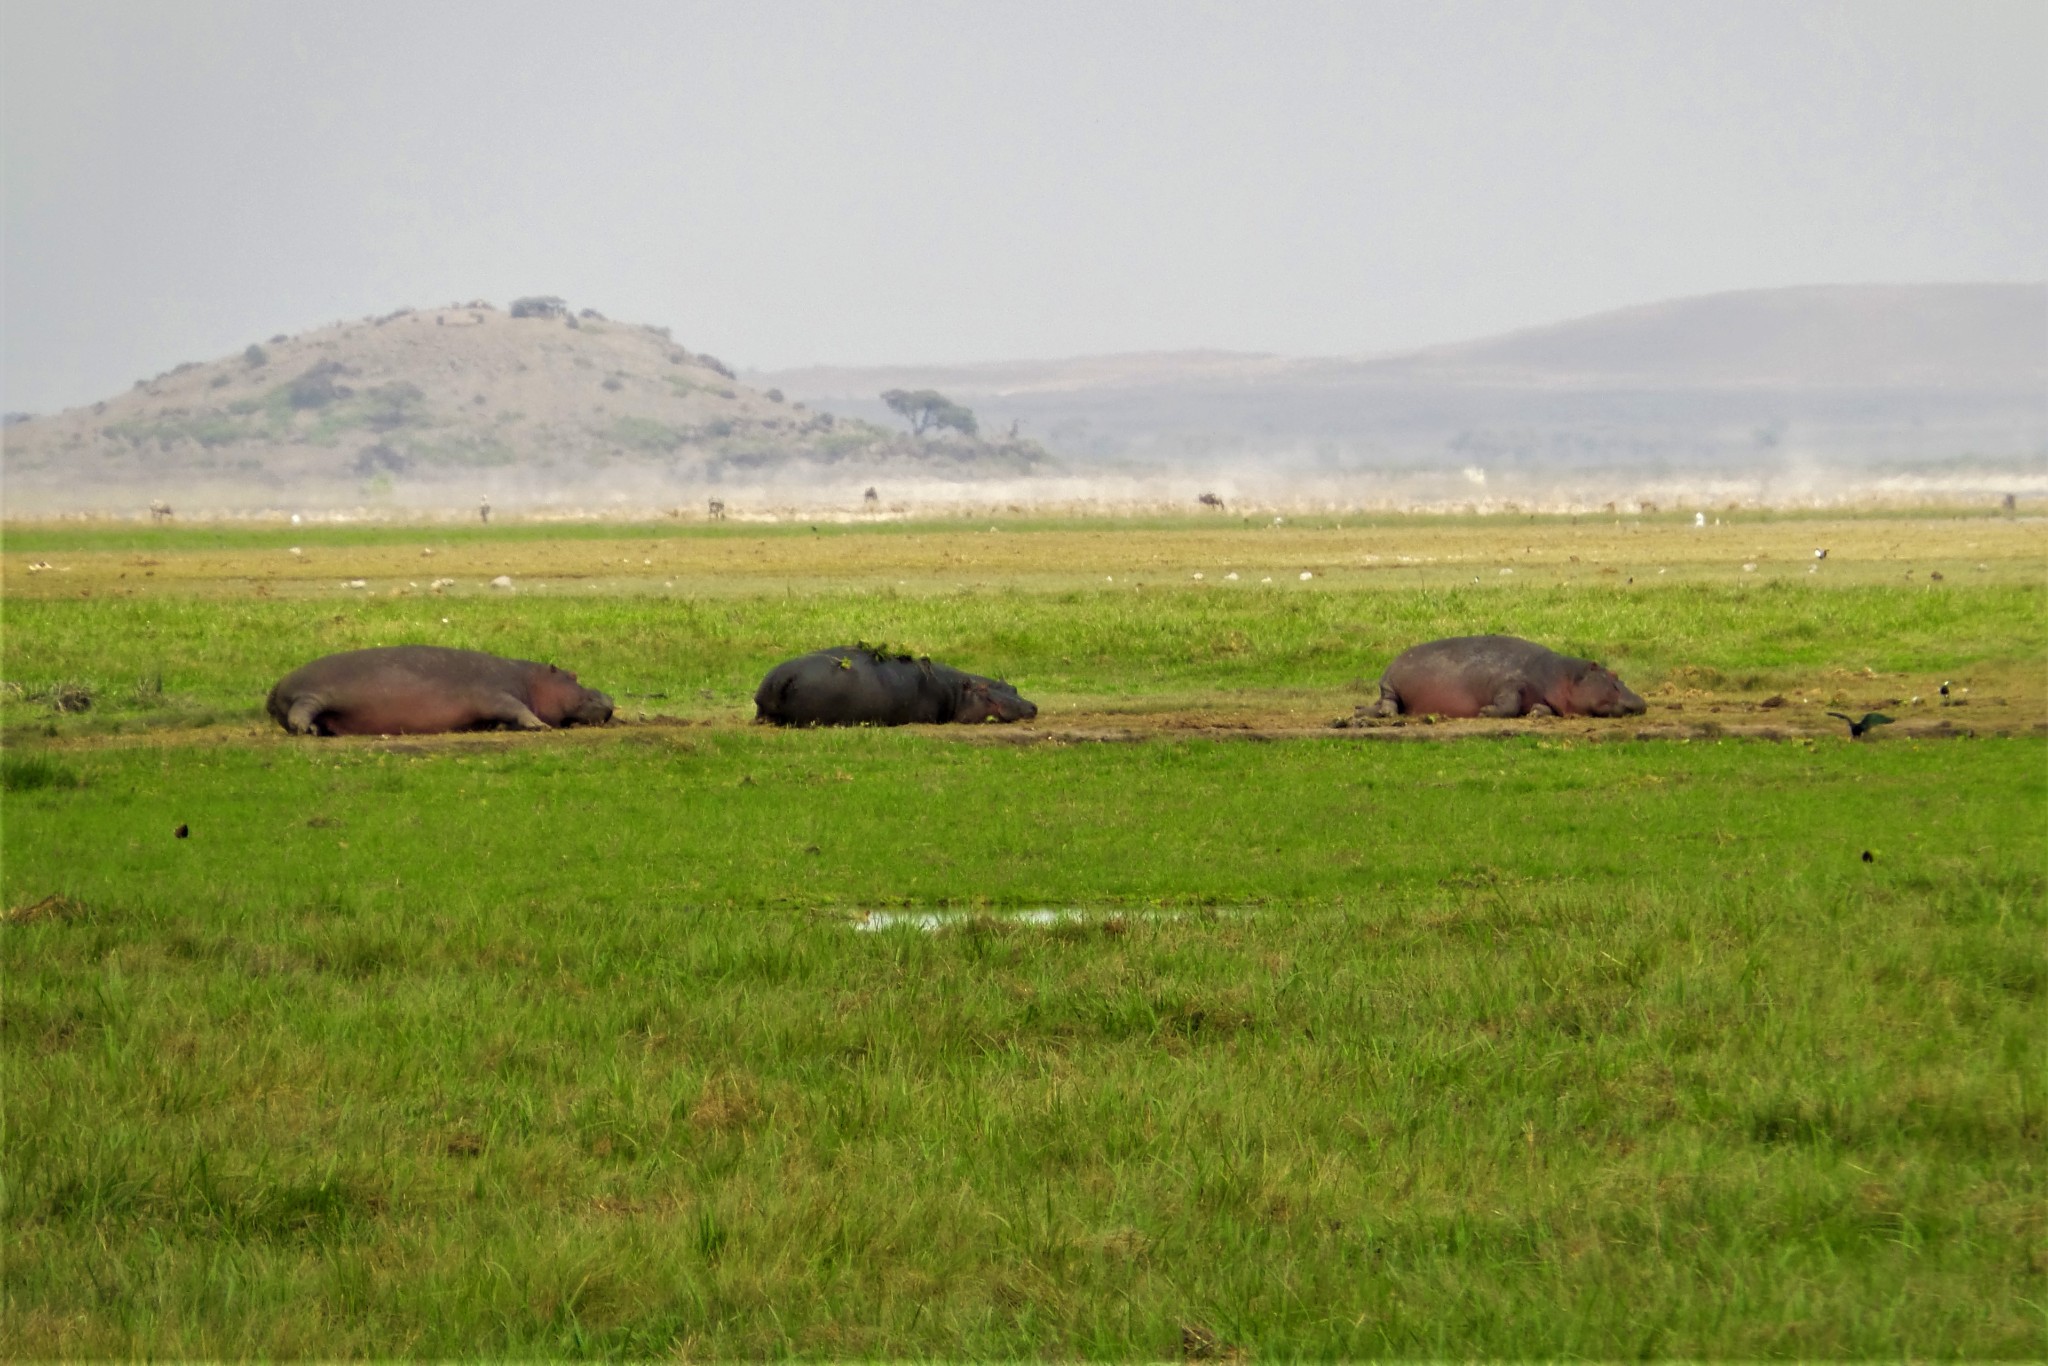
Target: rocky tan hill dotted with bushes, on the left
431,409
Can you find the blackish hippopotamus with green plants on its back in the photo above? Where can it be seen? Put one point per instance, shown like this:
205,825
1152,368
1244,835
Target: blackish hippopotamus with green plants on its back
857,685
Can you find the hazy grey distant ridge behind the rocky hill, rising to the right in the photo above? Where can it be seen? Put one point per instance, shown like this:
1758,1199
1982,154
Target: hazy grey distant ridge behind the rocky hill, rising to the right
1861,376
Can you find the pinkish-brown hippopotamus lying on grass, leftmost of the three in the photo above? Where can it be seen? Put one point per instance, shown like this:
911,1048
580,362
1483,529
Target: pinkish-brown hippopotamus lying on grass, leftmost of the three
429,689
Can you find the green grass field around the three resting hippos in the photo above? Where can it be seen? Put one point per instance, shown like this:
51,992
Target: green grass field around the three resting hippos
605,1043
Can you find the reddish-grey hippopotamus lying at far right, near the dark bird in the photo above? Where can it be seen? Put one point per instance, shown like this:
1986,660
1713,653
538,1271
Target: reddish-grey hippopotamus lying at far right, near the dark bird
1500,677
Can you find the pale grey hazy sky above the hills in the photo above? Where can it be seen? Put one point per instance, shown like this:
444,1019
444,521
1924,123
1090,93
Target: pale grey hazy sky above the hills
871,183
